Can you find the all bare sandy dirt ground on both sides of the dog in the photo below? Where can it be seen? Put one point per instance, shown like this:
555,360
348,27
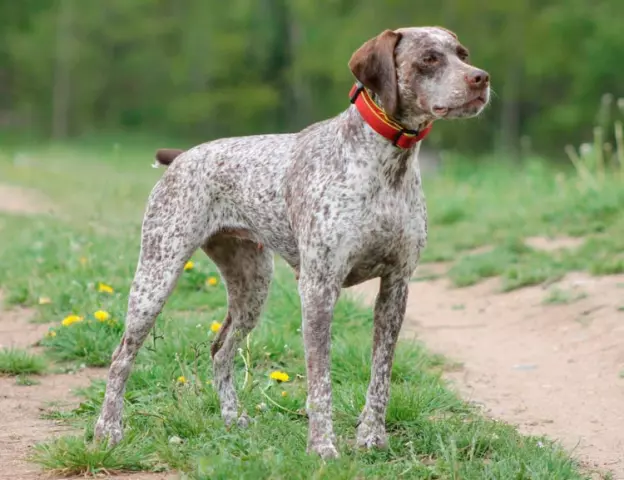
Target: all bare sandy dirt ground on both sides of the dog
550,369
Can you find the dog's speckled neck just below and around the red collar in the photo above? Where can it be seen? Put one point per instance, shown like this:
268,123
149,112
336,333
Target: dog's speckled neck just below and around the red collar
397,165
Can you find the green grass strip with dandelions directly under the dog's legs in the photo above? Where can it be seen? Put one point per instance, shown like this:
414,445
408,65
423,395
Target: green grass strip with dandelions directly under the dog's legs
172,416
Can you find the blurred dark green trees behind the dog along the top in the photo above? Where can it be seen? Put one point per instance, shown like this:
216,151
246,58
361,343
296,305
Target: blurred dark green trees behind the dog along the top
201,69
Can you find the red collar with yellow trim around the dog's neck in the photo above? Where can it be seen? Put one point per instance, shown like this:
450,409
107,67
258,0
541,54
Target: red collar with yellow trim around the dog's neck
382,123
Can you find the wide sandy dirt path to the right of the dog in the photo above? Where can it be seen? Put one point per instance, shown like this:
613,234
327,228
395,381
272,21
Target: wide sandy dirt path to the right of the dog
550,369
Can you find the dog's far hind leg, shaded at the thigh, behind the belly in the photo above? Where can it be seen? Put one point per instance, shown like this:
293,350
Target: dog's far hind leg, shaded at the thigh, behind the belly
247,273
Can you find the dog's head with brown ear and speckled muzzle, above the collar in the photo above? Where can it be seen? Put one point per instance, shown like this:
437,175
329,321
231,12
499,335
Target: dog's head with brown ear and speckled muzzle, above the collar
421,74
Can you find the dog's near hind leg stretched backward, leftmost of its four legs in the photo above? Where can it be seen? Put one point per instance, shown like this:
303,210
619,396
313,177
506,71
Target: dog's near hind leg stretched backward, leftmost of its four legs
173,228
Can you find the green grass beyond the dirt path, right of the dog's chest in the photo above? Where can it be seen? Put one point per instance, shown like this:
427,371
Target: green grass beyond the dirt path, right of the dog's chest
498,205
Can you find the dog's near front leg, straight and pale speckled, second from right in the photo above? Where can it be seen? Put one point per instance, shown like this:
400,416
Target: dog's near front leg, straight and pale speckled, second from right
318,298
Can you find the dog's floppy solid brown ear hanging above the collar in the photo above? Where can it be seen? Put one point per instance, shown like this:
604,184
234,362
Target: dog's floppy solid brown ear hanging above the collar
374,66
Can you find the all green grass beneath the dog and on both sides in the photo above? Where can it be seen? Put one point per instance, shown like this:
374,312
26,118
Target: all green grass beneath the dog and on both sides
171,410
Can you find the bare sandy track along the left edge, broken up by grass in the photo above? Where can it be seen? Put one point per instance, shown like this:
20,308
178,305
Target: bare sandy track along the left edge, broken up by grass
21,407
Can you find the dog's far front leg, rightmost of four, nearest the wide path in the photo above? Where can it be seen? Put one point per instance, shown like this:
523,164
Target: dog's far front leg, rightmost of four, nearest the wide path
389,313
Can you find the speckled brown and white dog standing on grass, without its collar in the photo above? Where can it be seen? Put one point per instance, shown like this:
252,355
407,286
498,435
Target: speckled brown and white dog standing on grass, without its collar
339,202
